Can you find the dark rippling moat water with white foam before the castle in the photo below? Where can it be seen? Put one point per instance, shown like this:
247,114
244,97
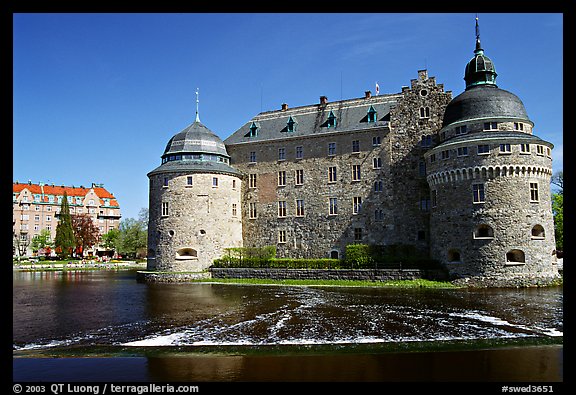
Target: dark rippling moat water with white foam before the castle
105,326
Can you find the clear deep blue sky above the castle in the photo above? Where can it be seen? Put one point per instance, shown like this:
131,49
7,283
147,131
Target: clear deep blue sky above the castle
97,96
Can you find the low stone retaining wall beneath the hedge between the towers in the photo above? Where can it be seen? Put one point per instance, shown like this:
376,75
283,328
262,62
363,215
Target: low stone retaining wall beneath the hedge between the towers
329,274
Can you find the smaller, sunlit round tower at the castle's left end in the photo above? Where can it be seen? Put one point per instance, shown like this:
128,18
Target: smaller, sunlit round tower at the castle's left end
194,211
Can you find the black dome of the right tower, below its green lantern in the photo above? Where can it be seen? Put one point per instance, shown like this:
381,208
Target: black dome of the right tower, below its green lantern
484,101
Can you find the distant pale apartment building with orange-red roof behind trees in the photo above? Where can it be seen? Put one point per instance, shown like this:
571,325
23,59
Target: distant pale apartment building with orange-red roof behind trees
37,206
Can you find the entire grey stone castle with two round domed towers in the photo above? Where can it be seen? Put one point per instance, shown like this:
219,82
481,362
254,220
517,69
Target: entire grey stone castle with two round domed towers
462,180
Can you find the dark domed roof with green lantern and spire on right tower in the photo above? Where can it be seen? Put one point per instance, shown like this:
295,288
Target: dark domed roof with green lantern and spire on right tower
482,98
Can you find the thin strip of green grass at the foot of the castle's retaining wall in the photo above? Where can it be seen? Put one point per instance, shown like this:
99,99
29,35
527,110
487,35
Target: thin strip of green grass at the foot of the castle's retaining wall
418,283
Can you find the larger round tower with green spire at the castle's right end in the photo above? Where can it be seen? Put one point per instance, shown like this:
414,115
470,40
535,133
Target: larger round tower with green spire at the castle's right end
489,178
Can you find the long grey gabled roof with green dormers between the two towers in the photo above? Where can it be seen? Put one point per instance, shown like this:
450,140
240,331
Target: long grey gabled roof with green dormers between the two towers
312,119
